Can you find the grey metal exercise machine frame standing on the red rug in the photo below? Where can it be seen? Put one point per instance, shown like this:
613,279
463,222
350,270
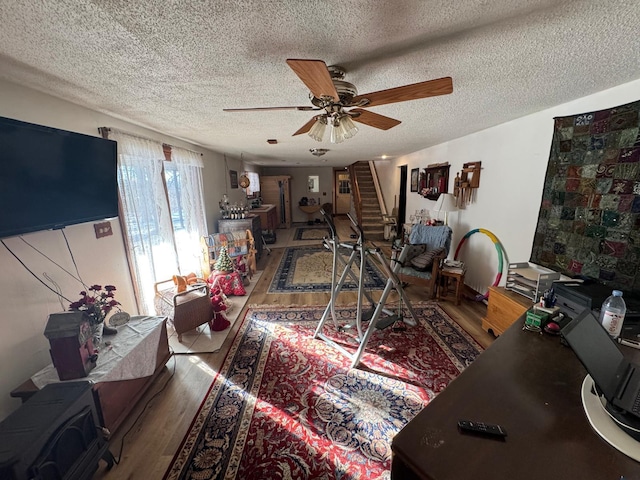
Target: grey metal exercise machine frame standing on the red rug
359,251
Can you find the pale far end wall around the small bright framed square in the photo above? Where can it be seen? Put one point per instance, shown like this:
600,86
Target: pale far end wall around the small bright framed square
299,177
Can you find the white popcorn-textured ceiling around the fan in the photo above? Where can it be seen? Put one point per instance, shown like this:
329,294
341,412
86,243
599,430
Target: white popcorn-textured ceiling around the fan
172,66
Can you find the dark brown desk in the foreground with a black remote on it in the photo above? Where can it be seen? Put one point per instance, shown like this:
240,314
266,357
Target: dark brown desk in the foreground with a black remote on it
529,384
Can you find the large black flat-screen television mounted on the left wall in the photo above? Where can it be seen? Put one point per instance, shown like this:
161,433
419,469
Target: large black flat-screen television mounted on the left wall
51,178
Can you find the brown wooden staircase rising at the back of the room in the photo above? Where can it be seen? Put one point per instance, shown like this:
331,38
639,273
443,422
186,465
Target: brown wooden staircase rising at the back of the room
366,201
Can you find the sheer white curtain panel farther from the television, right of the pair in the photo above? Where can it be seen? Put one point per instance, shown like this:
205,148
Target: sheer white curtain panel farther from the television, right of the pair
186,199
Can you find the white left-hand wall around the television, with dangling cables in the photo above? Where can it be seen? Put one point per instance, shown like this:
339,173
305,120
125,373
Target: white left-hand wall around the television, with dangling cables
25,303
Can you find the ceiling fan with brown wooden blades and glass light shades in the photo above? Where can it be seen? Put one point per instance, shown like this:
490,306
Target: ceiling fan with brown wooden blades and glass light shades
330,93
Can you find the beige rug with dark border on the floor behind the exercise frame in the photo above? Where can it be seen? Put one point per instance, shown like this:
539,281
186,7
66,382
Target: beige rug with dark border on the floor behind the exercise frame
308,269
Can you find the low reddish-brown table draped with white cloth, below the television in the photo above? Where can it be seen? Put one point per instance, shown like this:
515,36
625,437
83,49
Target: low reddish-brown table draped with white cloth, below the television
118,381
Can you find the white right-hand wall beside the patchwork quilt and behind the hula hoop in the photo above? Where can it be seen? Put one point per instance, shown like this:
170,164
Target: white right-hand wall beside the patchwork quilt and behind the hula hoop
514,159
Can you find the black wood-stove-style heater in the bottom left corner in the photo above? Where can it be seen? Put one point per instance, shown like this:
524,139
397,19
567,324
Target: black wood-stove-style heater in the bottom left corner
56,434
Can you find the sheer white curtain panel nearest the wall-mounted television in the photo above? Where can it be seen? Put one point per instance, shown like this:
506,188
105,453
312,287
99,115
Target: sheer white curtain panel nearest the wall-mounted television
145,215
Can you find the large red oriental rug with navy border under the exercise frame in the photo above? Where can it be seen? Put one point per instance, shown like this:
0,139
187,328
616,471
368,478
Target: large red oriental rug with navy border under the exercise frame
287,406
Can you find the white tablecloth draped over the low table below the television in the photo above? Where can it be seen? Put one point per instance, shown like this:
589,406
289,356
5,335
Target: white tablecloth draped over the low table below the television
132,354
